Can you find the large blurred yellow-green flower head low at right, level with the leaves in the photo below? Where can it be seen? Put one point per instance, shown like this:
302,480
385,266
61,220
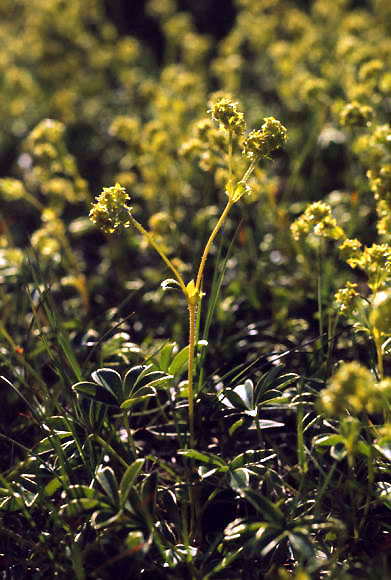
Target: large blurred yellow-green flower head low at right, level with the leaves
353,388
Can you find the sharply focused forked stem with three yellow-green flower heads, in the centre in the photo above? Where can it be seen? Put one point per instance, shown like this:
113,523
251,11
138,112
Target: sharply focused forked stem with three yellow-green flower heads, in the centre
111,213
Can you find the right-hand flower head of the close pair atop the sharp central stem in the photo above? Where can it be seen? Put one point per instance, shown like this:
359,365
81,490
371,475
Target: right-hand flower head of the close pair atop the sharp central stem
262,142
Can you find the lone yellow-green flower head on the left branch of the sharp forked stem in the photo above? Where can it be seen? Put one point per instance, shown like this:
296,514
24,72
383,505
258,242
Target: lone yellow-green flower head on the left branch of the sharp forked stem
110,211
